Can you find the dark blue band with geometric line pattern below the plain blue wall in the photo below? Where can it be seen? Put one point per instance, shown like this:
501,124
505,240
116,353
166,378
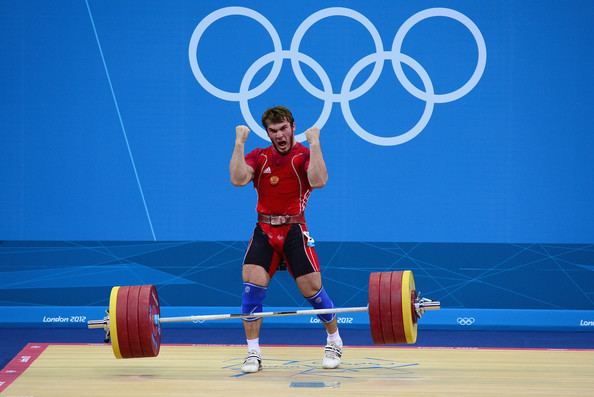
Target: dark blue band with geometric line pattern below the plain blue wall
515,276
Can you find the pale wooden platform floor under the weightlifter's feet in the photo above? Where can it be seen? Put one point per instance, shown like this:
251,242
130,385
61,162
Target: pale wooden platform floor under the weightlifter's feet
91,370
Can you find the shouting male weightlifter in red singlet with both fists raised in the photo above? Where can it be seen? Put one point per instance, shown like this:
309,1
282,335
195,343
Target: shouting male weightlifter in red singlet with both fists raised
284,175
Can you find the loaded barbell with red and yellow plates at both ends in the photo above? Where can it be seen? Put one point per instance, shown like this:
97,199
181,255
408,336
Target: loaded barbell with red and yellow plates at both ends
133,321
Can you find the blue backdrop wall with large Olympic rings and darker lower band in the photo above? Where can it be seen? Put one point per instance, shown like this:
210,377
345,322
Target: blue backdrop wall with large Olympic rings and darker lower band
457,136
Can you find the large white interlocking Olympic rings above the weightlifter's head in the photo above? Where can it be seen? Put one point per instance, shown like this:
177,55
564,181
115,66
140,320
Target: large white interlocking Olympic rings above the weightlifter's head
346,93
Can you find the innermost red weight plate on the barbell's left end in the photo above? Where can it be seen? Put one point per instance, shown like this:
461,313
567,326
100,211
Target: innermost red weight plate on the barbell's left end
150,333
